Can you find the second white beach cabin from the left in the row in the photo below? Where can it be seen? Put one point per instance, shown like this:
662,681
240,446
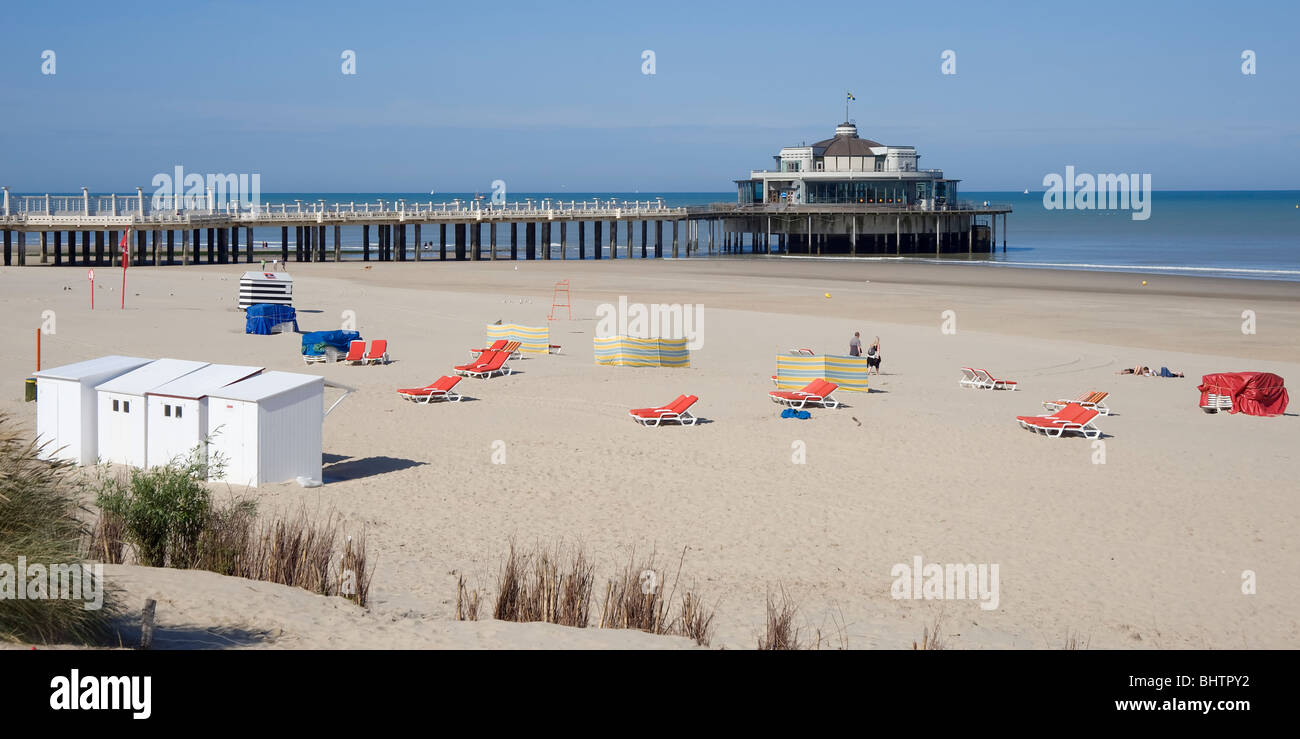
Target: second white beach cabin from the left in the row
123,422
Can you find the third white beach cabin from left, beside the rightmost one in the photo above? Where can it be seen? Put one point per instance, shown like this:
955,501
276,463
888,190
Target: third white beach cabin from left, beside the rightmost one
177,413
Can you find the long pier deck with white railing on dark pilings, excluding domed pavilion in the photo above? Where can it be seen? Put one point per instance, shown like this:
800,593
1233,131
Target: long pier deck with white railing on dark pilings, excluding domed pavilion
197,230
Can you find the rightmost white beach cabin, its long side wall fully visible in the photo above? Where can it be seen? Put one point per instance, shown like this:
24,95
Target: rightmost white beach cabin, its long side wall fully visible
268,429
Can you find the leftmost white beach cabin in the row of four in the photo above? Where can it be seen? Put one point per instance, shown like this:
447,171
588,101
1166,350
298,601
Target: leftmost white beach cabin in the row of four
67,408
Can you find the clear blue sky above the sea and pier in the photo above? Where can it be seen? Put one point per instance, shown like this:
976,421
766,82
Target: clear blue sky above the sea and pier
551,96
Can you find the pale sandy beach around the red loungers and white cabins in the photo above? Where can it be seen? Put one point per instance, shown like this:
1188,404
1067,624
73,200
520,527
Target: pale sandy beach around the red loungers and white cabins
1143,551
